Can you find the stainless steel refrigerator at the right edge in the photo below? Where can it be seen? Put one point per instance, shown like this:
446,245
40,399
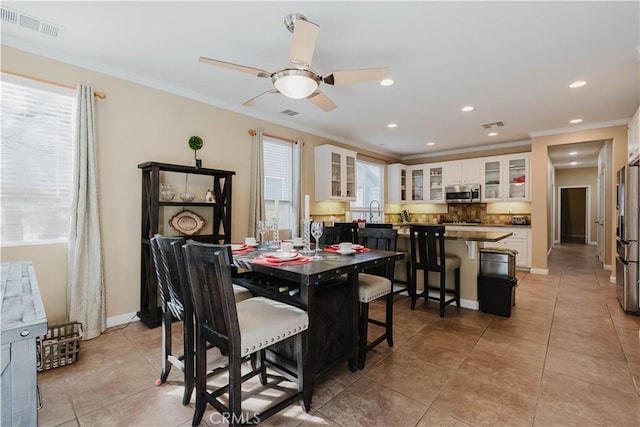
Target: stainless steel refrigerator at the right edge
627,238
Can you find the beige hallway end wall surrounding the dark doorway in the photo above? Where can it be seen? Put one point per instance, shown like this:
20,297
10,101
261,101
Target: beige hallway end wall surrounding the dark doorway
580,177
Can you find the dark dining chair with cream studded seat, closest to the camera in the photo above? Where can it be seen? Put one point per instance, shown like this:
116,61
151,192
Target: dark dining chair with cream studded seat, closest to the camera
239,330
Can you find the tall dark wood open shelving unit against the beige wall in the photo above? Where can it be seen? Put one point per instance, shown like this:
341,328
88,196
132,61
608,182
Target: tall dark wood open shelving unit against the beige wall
150,313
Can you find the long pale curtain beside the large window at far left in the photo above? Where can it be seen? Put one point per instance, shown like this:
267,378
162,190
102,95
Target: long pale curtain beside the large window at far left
85,281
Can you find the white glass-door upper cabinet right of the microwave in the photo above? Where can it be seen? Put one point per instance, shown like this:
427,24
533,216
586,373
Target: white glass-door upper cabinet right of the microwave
505,178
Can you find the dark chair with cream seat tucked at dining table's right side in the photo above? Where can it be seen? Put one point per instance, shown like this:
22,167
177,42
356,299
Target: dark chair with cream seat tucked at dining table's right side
373,284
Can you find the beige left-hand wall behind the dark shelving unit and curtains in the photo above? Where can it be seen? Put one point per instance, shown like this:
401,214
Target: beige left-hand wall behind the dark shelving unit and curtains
136,124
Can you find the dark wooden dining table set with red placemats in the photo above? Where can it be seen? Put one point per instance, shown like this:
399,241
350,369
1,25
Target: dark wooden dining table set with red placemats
326,288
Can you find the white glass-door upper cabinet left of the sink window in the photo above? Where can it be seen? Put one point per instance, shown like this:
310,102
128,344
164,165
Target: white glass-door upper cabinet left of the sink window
335,173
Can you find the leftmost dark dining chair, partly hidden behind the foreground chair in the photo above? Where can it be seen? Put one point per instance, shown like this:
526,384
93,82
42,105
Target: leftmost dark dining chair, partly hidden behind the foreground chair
177,303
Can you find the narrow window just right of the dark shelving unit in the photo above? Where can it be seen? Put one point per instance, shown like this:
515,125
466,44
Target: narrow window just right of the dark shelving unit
278,180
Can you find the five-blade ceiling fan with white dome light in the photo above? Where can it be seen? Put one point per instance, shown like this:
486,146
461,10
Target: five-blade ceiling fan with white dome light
298,80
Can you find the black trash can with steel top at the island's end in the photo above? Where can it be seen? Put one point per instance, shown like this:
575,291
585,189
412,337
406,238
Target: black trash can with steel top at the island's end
496,281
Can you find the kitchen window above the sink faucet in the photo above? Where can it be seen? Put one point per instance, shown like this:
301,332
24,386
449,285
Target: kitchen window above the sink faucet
369,189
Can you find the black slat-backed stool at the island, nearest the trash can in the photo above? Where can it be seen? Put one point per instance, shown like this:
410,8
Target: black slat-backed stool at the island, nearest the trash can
428,255
